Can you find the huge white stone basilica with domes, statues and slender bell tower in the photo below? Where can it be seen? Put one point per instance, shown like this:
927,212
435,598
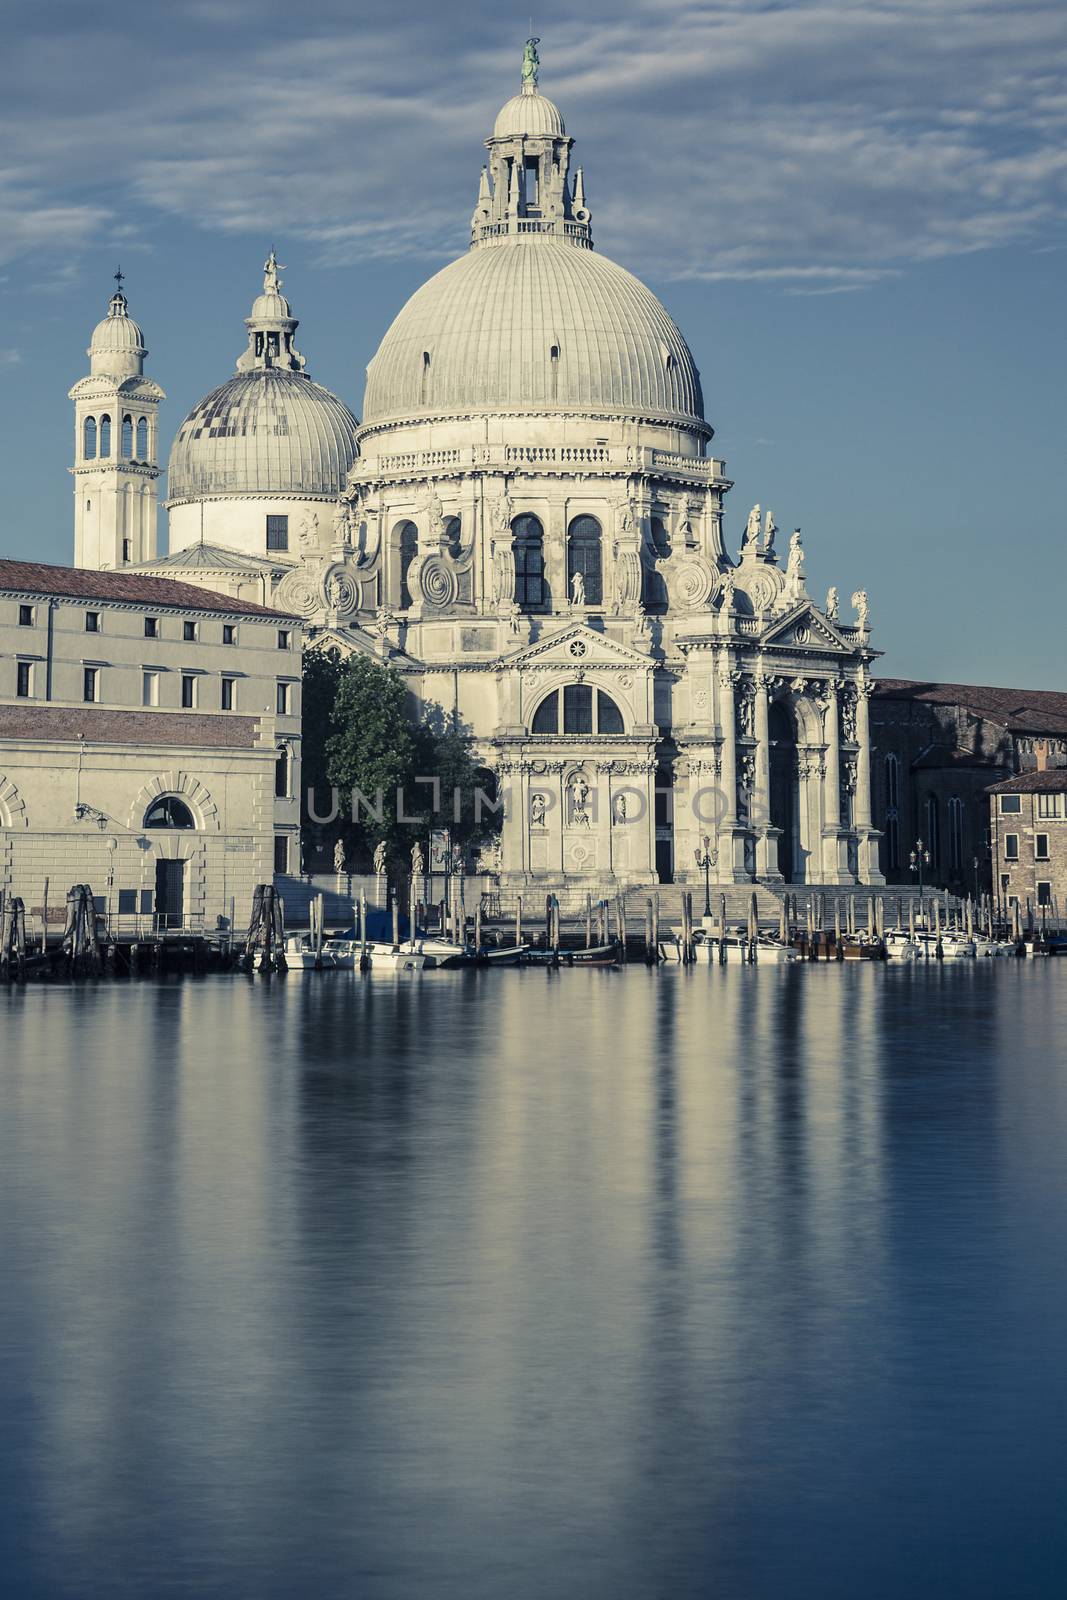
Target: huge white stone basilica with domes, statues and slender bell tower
529,526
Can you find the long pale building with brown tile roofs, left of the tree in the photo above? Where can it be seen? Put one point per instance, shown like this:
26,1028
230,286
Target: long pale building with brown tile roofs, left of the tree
150,742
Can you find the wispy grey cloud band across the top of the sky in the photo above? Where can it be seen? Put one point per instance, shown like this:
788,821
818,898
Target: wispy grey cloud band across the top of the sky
817,146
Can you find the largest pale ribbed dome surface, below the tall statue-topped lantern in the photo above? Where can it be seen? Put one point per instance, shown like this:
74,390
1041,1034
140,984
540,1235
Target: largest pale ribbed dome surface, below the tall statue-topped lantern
492,321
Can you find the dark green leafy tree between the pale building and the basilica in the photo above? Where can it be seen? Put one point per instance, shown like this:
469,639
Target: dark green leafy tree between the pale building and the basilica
361,735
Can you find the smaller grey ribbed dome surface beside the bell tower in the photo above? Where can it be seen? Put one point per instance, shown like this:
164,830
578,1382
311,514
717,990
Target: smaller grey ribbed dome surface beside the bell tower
265,433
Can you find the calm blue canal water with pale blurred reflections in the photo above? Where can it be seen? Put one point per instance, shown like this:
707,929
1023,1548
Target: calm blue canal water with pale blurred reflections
714,1282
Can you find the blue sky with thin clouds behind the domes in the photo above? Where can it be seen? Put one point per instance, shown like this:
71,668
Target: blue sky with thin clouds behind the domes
857,214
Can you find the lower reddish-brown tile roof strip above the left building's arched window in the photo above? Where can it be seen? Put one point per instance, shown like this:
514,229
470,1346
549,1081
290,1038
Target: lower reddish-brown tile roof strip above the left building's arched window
98,726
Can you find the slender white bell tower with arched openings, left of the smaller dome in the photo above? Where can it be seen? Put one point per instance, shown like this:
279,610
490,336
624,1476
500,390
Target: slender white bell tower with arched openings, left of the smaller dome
116,446
